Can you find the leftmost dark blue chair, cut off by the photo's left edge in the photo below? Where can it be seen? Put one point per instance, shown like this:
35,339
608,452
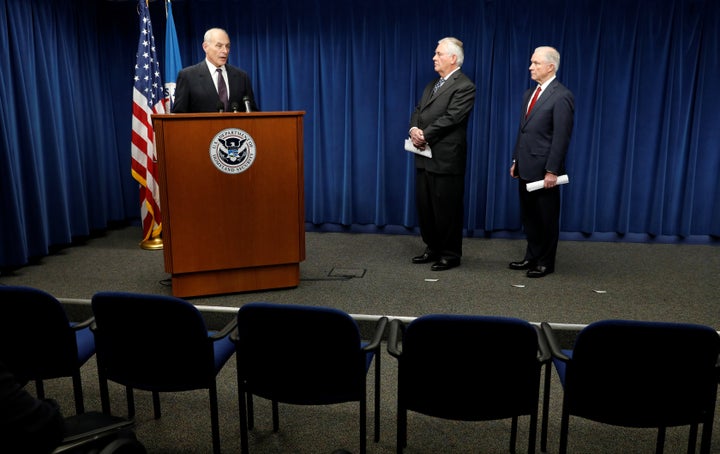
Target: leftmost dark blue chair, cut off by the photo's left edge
38,342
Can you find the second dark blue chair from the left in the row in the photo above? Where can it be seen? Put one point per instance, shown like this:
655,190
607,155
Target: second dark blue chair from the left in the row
157,343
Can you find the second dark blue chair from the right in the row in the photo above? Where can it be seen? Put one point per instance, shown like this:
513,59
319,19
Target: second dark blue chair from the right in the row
468,368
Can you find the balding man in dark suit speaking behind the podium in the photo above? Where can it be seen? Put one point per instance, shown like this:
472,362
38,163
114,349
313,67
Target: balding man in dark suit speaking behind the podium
198,88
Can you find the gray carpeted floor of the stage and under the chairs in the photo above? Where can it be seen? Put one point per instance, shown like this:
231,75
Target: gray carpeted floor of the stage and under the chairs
592,281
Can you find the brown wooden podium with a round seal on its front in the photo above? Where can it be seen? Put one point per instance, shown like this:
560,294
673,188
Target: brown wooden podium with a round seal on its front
232,201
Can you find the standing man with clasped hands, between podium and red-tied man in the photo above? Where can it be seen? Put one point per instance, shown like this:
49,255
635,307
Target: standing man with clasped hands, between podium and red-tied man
440,122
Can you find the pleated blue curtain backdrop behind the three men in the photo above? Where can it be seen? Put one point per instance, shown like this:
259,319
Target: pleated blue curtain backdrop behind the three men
643,162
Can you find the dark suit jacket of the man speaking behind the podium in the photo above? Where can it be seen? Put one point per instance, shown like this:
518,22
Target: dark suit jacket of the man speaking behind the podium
195,89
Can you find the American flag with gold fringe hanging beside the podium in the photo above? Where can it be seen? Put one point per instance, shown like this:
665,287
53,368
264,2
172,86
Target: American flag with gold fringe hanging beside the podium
147,100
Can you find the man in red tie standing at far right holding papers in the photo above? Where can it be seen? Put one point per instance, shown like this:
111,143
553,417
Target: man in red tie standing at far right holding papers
546,124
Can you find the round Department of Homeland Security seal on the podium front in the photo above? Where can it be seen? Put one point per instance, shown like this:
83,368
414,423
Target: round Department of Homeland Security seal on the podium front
232,150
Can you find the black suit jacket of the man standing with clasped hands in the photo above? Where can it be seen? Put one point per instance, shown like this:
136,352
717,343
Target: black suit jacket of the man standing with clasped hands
443,117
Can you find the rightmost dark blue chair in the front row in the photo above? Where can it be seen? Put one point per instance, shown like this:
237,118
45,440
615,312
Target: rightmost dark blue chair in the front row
640,374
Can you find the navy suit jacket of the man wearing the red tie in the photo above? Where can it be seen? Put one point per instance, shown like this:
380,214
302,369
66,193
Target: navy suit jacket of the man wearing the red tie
544,136
